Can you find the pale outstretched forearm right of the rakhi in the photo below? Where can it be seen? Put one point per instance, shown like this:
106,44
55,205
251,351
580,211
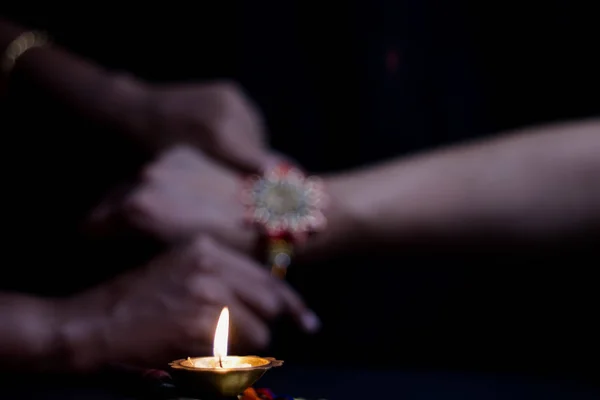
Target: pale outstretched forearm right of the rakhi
531,185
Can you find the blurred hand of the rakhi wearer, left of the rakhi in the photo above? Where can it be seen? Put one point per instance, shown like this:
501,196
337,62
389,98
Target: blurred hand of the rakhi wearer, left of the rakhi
181,194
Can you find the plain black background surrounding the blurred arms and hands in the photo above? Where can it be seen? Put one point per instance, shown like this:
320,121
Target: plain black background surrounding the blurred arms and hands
324,76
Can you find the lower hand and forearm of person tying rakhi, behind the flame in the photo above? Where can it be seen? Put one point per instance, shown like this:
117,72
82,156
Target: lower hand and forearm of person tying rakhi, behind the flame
163,311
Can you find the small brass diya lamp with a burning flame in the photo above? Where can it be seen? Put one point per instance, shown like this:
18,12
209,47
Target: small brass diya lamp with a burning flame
220,376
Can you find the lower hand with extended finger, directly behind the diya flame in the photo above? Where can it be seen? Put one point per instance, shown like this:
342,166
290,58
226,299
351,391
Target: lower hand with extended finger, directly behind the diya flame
169,309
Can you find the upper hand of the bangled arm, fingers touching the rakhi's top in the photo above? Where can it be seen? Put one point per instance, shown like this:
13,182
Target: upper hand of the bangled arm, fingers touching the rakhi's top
216,117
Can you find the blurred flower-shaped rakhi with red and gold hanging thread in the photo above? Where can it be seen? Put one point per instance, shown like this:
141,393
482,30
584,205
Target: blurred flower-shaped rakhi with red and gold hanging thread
288,206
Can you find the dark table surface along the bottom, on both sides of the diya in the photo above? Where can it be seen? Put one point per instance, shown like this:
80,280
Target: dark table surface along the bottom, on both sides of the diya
333,384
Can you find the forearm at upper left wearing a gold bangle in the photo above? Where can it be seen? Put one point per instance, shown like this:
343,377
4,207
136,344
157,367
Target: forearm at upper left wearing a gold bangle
80,85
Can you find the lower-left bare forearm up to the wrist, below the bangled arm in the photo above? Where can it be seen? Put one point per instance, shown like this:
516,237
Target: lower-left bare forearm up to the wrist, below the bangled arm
58,335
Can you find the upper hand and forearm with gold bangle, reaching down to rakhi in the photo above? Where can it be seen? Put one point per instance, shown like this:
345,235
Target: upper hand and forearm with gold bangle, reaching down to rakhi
215,116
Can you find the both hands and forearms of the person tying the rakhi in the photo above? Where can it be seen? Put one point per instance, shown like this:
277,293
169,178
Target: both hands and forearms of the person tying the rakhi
217,117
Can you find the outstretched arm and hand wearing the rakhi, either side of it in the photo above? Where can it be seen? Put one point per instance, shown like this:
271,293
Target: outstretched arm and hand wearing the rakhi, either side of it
531,186
